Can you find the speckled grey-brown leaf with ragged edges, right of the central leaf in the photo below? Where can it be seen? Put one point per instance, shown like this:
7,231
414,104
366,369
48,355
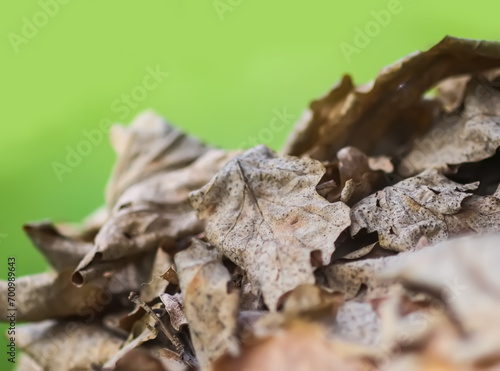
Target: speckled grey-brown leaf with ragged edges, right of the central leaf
411,209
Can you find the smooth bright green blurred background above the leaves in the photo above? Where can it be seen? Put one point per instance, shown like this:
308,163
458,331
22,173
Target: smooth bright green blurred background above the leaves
231,65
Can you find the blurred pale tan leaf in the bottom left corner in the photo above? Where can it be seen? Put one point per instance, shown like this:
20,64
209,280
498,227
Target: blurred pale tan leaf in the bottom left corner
67,346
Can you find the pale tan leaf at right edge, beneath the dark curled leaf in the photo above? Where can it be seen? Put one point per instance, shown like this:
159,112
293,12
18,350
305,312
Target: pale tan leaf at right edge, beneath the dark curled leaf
469,134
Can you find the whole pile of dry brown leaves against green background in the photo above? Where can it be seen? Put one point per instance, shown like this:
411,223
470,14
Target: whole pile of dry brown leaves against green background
340,253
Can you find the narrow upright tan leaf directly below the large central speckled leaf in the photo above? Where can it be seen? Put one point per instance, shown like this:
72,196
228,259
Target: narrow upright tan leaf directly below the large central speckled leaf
210,307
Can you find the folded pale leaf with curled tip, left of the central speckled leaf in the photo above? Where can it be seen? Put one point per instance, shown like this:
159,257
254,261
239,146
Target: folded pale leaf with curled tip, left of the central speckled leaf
154,212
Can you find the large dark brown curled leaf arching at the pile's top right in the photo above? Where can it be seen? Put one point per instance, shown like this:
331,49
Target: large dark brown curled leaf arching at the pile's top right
391,104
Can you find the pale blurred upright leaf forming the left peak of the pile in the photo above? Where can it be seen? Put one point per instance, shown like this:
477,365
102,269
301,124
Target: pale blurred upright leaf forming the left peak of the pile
148,146
